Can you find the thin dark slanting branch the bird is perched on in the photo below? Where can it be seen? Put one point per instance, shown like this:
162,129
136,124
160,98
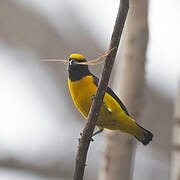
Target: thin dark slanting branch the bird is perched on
97,102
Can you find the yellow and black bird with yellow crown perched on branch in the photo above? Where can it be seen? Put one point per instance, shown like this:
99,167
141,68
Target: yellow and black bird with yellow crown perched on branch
113,113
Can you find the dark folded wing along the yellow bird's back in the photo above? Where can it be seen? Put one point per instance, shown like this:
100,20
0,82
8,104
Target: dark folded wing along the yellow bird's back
110,92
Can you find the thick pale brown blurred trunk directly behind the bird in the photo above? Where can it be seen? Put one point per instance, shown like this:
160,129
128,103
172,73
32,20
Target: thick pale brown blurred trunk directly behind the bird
129,85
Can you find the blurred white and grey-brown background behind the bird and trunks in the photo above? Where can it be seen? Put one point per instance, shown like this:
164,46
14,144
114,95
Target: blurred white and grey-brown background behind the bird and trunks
40,125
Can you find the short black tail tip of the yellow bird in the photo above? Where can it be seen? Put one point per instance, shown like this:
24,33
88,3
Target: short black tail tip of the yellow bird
145,137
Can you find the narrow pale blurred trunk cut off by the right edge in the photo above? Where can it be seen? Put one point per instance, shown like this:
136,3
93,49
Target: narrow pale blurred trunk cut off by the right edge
175,163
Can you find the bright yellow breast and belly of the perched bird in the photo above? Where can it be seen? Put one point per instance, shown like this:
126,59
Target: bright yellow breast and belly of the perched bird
82,92
